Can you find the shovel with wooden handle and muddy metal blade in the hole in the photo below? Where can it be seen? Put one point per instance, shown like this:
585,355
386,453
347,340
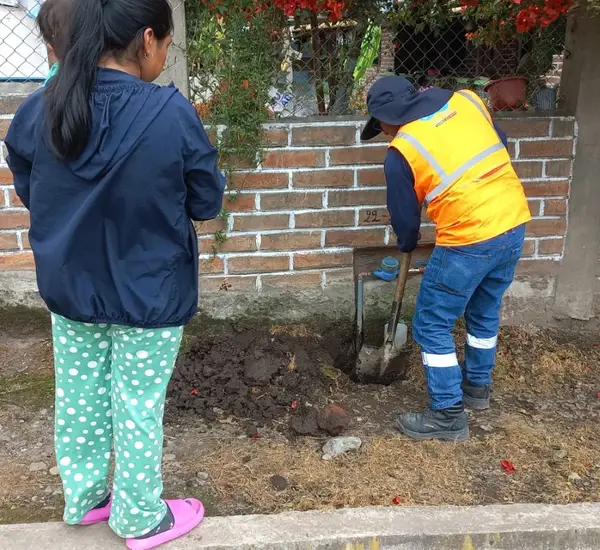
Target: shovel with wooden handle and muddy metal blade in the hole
372,363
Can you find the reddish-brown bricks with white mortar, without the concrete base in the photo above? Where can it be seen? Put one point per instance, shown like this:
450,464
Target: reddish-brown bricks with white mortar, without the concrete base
319,194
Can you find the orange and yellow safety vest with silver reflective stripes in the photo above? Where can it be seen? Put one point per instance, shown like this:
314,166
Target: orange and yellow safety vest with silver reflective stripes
463,173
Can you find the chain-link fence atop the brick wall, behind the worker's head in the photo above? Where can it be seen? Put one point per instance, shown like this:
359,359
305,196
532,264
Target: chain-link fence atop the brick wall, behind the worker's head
329,69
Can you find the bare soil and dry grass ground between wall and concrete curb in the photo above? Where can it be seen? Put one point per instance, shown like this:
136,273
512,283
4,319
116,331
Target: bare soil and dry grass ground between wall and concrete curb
242,430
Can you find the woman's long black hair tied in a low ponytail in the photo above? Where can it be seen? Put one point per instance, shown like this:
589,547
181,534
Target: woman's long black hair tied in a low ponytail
96,29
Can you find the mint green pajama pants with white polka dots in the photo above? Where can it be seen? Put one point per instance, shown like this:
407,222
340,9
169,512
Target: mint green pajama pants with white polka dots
111,382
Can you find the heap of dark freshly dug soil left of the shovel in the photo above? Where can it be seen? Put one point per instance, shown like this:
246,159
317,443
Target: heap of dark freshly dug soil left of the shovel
262,376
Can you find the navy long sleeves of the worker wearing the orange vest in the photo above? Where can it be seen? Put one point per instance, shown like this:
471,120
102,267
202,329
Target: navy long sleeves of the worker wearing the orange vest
402,202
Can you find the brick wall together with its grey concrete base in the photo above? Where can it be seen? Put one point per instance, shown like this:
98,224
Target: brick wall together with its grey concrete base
314,210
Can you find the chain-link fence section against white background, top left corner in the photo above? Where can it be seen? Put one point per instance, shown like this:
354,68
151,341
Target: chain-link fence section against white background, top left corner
22,51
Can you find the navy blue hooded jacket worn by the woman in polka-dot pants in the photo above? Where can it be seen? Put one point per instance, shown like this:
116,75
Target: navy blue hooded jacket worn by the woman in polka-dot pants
112,231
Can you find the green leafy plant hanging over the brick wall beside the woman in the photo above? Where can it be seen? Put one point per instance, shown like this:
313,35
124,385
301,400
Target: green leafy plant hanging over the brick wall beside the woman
233,48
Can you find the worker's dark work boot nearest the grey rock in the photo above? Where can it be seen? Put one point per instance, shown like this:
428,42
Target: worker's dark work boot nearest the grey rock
448,424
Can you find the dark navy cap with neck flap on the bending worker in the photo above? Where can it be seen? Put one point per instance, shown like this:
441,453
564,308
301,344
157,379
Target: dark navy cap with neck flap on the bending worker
394,100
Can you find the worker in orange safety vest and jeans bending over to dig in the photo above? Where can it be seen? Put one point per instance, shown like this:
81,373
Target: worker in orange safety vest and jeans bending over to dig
447,155
